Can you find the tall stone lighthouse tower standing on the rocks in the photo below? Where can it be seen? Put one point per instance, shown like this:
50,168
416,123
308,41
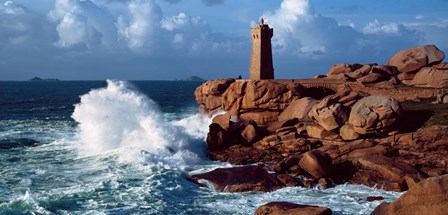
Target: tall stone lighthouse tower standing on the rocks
261,66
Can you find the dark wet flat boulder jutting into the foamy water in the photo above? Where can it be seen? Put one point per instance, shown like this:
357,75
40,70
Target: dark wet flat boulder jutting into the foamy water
238,179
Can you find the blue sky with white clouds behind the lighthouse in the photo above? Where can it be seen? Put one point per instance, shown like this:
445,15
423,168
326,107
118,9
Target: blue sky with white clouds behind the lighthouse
174,39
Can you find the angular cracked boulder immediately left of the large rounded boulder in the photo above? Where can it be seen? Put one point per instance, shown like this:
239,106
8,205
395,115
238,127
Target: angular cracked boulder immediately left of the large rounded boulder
329,114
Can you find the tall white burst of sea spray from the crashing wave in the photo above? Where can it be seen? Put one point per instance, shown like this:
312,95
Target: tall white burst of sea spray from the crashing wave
118,117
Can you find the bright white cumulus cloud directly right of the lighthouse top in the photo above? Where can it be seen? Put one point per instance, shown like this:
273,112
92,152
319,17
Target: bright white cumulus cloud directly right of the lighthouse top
302,31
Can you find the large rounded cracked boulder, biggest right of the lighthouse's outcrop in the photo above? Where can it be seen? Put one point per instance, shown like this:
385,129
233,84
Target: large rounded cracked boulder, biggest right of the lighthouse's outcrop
374,114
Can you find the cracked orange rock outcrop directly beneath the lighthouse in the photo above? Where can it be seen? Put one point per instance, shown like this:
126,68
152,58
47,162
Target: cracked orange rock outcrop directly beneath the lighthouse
261,100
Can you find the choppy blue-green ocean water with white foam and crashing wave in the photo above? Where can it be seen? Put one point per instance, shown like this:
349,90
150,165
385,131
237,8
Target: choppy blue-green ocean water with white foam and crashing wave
116,147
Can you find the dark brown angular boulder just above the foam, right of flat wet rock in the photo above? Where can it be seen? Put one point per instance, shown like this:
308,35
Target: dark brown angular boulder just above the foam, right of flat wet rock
316,163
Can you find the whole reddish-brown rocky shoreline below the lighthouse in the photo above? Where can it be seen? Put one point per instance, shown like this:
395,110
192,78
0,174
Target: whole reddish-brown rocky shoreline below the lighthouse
308,133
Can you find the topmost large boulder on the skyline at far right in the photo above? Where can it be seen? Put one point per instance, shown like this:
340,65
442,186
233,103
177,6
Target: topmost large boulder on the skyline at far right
411,60
